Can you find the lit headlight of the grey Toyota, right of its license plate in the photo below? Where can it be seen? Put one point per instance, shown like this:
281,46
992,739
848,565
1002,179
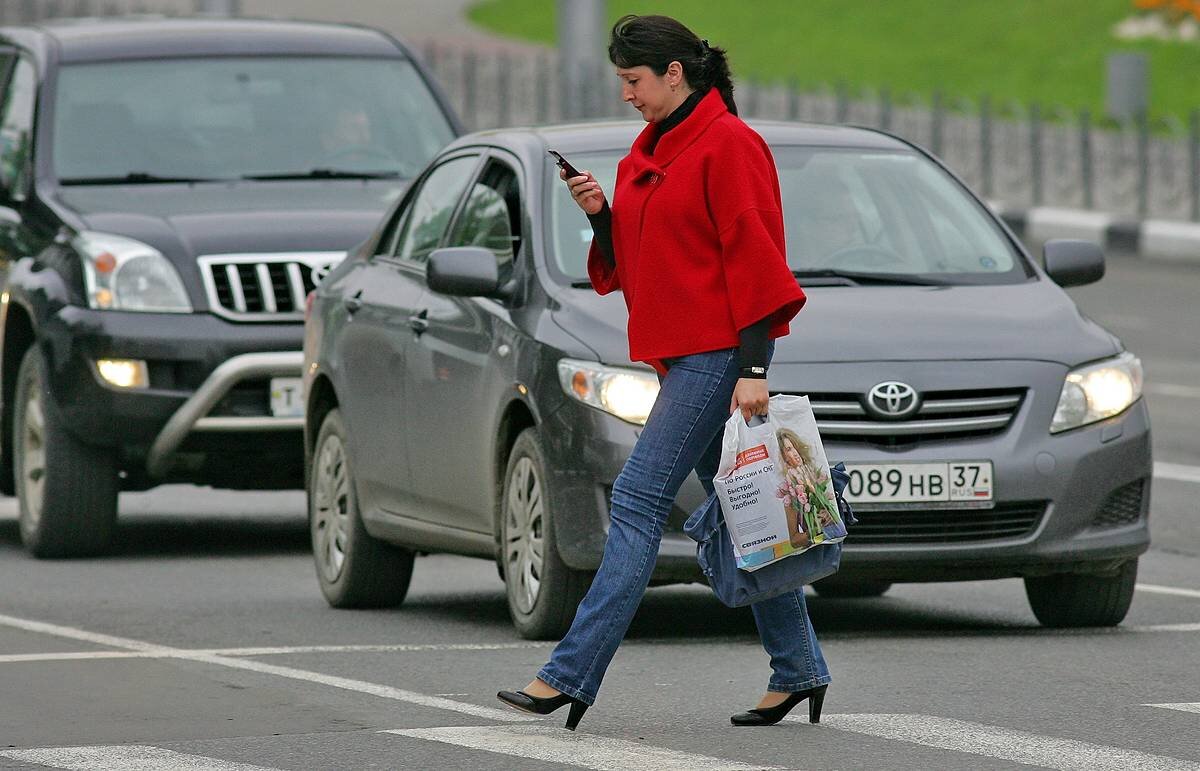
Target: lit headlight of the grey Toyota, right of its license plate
1097,392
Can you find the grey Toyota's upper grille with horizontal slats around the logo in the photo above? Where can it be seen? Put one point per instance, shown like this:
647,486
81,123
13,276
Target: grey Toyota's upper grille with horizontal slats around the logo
943,415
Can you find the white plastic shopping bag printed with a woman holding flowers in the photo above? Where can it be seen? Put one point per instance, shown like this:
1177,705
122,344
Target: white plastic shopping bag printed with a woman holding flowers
775,485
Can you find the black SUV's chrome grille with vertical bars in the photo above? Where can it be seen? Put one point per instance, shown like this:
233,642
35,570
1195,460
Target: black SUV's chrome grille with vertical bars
263,288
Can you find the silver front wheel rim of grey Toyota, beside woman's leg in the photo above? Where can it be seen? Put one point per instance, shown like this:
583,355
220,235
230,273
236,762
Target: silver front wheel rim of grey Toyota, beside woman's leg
524,529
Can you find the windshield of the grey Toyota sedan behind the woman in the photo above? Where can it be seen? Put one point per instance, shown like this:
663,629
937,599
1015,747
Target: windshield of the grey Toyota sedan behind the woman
887,216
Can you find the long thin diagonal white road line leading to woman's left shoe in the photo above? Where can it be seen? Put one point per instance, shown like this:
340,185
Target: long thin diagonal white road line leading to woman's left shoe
346,684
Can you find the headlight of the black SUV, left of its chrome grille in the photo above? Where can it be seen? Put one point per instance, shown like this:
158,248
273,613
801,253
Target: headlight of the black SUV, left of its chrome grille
127,276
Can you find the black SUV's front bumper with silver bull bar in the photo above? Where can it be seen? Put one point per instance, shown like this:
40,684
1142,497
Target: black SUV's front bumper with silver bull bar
206,416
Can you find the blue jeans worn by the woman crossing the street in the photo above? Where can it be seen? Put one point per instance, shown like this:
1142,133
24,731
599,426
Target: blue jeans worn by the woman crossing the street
682,434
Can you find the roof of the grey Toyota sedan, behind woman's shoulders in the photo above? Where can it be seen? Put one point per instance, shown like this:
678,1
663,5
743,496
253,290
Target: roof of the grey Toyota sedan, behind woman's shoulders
614,136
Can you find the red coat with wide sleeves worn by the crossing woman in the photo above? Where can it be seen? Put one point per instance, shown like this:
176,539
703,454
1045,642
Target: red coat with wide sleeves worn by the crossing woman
698,230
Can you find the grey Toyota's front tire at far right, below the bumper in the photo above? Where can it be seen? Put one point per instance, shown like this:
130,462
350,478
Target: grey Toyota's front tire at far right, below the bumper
1083,600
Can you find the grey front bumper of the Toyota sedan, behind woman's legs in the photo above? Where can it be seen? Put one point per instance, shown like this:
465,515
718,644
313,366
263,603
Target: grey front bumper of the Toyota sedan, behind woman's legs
1070,479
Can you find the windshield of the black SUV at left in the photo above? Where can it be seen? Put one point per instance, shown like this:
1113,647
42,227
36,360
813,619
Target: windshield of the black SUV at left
225,118
